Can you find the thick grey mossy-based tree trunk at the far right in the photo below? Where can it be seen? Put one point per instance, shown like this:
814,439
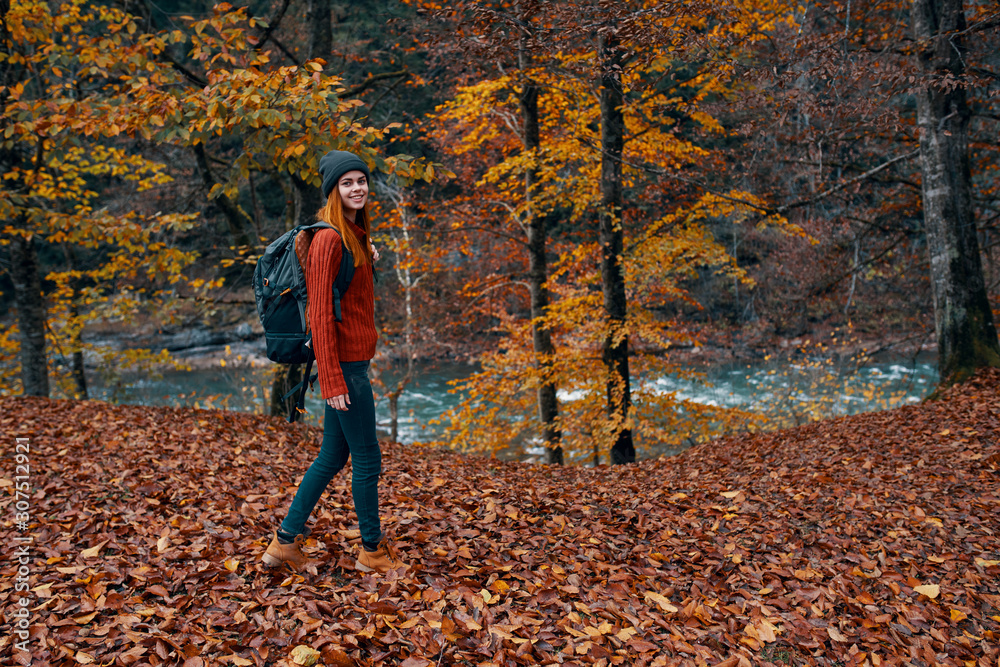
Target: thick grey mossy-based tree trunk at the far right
967,338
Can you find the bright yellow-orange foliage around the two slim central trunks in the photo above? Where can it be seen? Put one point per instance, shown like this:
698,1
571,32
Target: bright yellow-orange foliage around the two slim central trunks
661,252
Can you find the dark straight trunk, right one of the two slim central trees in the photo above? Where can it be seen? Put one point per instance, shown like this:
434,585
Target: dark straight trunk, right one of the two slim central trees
615,353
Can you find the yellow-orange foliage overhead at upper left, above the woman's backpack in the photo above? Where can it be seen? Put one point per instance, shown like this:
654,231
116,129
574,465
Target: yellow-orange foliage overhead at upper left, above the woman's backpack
285,117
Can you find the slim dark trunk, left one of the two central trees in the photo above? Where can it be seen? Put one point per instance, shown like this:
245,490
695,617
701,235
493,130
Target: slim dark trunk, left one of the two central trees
548,406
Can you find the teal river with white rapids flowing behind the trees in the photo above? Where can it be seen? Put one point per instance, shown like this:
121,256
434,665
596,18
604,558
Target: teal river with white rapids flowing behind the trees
766,386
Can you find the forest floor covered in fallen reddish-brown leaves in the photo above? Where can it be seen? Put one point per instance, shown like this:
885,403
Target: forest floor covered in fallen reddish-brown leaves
866,540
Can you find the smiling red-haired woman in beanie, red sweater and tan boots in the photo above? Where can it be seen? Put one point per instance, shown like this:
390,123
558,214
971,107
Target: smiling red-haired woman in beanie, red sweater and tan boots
343,351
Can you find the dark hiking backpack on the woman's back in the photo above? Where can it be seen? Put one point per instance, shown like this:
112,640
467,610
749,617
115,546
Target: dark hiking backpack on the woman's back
279,287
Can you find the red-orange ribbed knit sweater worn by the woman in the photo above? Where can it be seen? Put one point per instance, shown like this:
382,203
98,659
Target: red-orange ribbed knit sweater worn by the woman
354,337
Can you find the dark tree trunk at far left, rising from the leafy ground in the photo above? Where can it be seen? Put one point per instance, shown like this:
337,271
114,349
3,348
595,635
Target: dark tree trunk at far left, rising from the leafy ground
25,273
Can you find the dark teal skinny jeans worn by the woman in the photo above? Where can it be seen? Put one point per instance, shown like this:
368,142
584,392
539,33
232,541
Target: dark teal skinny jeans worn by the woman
346,434
